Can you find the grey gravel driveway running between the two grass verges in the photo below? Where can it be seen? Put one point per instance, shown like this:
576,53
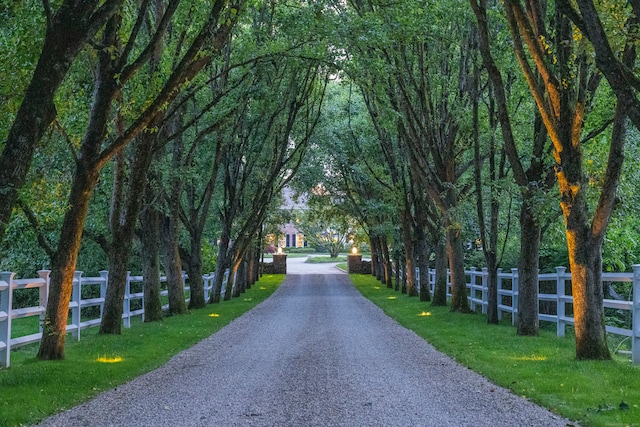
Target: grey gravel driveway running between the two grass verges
316,353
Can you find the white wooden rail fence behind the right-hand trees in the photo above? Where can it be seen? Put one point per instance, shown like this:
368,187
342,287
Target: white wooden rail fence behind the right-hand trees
560,301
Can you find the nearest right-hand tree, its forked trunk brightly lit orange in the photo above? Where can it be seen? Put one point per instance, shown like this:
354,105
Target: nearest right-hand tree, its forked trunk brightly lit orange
568,82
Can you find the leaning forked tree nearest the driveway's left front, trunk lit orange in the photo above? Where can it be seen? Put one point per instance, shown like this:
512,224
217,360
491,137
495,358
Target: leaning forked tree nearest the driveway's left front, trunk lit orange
91,158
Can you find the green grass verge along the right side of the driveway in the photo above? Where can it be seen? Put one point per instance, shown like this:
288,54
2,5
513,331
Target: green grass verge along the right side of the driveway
542,369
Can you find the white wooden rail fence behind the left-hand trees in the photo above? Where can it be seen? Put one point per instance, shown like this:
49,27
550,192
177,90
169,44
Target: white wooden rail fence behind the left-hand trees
9,284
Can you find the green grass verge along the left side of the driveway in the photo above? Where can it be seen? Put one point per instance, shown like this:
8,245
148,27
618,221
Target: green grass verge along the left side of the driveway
31,390
